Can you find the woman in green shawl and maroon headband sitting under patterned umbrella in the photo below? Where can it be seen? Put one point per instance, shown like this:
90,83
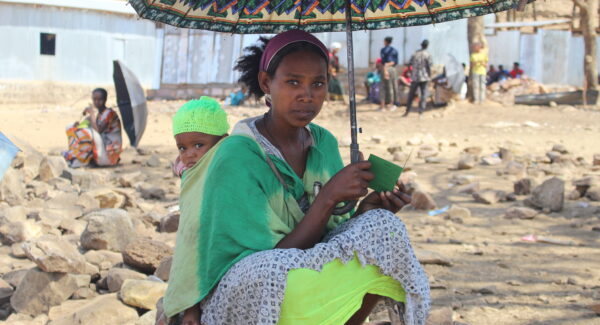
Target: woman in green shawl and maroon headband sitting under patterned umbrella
258,242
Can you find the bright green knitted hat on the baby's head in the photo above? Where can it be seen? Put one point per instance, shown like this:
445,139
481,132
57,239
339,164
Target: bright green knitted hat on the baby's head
203,115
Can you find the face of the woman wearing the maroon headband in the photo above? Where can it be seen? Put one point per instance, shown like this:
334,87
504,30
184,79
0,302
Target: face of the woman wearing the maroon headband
298,87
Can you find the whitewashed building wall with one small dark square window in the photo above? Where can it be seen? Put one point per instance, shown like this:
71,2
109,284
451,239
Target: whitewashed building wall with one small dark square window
86,43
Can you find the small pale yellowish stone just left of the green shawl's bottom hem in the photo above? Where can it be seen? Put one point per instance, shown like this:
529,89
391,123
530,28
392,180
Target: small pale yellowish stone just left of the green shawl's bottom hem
142,293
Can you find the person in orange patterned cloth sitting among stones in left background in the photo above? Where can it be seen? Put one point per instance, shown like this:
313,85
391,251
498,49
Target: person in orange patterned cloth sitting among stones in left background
97,138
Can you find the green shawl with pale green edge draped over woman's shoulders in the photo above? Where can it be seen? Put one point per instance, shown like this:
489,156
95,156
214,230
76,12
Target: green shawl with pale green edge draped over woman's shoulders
232,205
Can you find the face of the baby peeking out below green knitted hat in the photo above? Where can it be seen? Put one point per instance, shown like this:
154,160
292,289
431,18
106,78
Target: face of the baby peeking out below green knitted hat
193,145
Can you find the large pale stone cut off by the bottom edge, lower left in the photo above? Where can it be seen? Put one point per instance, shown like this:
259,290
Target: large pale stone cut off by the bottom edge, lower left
104,309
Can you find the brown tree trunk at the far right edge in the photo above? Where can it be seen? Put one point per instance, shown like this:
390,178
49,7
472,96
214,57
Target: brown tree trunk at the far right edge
589,24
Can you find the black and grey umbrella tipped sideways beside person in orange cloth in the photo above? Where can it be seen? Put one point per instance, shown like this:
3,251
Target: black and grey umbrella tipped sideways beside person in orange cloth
131,101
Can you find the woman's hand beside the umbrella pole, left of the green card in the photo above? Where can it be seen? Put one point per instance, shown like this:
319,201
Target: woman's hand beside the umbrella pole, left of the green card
348,184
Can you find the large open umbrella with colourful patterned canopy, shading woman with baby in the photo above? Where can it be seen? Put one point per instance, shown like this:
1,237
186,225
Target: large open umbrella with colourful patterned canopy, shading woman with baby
274,16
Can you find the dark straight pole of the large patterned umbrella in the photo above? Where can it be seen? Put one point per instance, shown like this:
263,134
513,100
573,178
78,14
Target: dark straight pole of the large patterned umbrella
354,153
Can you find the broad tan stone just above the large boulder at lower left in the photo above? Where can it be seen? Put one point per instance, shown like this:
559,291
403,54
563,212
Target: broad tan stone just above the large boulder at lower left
54,254
